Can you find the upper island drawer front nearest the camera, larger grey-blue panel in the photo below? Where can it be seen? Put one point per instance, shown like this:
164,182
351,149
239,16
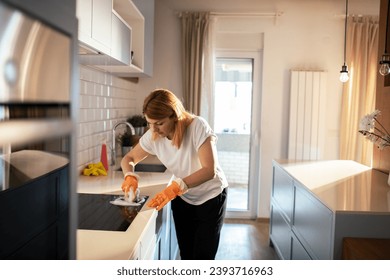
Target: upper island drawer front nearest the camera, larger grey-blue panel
313,224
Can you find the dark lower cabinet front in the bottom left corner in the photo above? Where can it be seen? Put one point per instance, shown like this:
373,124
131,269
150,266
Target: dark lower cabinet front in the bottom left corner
34,218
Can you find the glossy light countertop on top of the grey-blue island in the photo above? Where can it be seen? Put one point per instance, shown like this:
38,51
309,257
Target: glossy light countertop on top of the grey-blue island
342,185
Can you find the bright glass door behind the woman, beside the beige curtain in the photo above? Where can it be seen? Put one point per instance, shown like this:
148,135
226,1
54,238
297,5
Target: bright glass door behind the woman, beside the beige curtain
236,127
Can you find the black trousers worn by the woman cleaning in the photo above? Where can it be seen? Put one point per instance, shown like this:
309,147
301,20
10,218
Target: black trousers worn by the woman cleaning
198,227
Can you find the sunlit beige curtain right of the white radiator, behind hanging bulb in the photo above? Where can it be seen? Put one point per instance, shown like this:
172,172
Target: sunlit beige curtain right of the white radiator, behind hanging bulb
358,98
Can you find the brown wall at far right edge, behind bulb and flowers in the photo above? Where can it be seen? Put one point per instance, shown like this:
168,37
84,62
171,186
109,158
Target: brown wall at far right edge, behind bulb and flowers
382,158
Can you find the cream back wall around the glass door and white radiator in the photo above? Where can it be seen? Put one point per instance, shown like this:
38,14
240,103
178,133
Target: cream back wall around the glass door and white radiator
309,35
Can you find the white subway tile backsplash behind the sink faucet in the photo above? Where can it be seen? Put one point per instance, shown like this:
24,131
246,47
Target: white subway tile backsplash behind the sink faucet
104,101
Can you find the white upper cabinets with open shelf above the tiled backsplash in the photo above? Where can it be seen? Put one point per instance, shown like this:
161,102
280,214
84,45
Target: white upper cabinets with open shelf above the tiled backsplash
125,35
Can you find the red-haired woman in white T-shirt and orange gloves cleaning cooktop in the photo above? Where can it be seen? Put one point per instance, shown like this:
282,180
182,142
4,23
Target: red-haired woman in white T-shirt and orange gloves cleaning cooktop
185,144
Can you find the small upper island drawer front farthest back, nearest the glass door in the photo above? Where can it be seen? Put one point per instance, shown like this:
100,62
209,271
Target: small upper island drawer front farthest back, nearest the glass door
283,192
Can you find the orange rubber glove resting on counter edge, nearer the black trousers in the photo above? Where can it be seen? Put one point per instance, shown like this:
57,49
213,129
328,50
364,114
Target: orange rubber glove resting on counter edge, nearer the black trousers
177,187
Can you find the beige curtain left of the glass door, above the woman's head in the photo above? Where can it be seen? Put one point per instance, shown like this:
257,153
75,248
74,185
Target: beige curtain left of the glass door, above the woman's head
195,41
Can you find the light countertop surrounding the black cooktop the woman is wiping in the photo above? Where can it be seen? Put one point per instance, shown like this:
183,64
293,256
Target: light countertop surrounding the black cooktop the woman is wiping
115,245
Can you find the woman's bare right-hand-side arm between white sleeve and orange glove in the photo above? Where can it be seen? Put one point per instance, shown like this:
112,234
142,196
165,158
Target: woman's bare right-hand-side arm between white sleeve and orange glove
208,156
